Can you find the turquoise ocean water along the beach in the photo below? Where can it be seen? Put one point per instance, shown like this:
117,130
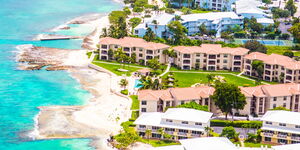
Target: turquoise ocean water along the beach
21,92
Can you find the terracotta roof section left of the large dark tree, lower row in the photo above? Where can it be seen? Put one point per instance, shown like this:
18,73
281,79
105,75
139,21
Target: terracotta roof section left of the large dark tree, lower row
176,93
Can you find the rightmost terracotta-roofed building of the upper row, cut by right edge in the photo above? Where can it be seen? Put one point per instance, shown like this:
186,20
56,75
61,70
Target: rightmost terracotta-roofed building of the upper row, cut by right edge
276,67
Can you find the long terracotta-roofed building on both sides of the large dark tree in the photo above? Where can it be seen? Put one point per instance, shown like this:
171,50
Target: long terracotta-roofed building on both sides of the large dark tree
259,99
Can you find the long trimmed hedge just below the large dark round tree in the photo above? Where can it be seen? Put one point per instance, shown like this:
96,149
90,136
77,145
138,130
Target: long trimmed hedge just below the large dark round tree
238,124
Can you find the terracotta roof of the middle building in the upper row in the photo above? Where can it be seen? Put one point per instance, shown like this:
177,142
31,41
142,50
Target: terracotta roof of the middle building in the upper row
211,49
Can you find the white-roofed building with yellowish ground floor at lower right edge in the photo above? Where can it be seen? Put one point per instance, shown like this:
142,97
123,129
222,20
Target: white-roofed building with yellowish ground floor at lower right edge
281,127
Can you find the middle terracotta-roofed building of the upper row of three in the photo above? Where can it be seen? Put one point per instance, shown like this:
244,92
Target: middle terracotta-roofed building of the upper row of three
210,57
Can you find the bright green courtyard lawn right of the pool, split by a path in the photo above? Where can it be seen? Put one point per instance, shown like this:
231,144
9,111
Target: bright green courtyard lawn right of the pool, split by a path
189,79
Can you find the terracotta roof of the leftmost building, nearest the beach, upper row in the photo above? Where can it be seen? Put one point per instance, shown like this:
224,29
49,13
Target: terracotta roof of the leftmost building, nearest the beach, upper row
133,42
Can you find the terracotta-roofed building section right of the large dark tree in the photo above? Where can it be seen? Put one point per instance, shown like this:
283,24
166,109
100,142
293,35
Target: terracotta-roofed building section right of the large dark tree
262,98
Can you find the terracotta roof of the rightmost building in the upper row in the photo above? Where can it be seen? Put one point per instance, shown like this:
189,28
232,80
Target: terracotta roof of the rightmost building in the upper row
274,59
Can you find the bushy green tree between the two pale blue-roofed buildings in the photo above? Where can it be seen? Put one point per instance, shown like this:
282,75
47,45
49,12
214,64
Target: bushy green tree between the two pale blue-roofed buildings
179,32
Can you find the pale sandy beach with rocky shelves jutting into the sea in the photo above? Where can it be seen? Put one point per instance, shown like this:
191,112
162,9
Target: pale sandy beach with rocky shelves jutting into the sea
102,115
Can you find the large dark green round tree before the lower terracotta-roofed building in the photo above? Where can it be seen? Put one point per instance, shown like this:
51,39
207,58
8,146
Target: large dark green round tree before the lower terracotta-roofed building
228,97
